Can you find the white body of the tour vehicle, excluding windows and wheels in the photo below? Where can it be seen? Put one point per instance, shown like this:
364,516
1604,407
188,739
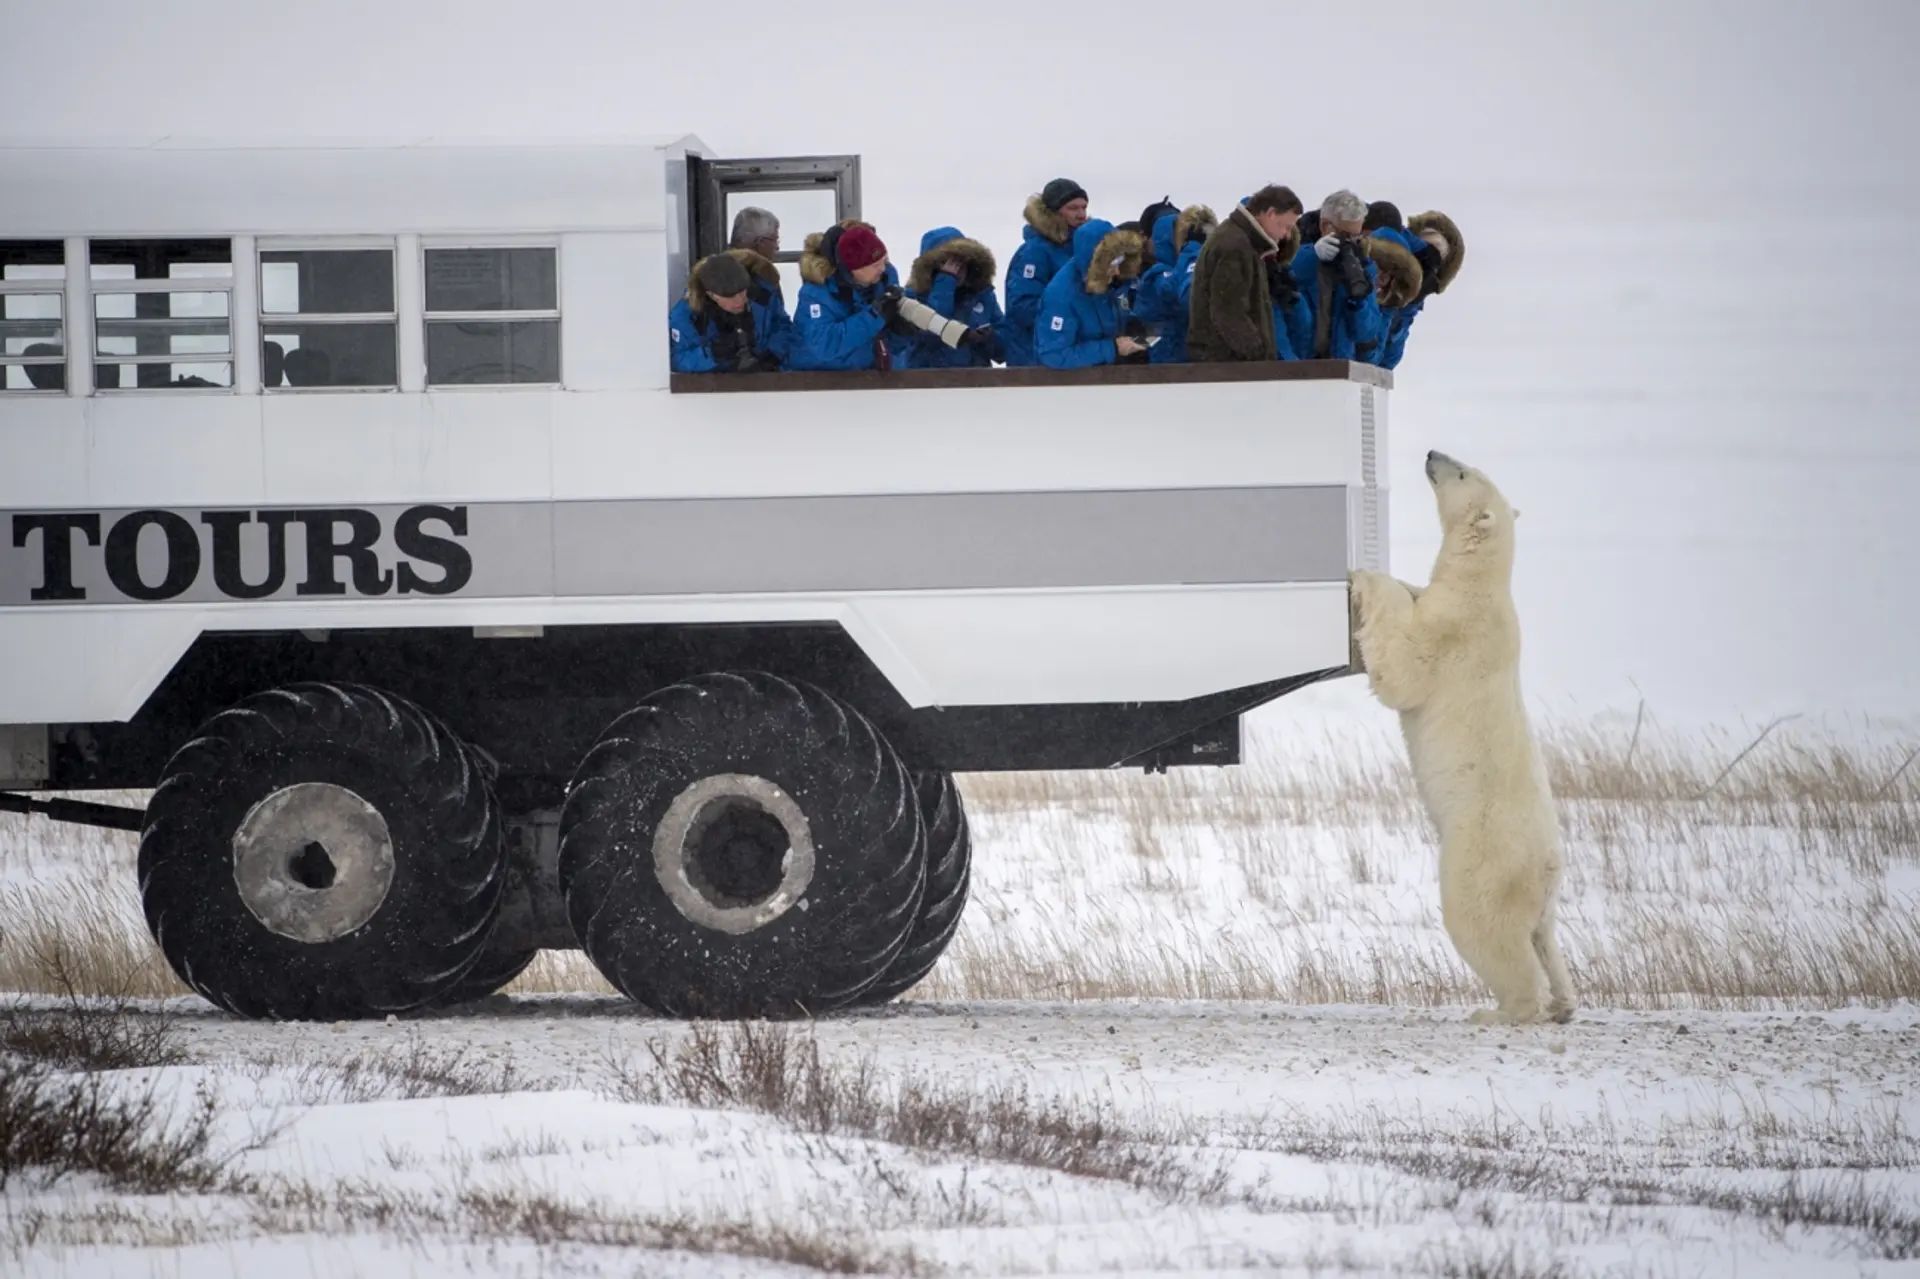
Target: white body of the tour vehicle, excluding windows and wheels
997,544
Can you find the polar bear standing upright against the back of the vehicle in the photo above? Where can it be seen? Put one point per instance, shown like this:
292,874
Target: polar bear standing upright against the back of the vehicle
1447,660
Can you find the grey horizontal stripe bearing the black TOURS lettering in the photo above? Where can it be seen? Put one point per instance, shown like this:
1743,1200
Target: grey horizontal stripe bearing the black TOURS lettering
796,544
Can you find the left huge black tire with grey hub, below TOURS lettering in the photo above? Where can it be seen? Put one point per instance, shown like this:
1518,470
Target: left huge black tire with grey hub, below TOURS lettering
322,852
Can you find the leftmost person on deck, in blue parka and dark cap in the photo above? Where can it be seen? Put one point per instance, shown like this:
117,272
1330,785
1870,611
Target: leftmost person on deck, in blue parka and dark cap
732,318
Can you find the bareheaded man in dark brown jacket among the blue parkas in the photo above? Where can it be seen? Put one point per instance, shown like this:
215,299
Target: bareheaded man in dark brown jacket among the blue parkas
1232,308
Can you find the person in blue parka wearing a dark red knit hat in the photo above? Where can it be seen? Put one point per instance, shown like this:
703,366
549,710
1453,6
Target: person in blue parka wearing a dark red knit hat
846,316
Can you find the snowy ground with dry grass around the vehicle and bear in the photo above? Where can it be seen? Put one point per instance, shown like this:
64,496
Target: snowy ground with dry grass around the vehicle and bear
1197,1023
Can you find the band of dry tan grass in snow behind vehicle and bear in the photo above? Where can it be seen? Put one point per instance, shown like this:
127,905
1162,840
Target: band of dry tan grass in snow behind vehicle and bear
1706,869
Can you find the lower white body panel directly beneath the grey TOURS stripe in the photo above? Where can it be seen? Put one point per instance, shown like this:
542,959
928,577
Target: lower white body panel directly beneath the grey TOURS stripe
967,648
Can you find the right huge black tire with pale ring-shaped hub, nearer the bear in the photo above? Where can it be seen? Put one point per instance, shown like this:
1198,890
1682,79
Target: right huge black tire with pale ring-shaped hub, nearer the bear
742,848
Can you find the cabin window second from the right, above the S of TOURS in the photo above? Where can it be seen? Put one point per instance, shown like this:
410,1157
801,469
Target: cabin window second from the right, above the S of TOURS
327,318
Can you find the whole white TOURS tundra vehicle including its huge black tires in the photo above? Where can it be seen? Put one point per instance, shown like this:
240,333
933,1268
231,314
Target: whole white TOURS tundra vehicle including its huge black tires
352,508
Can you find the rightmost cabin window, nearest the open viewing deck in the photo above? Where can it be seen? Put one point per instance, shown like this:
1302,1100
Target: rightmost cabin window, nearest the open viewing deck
492,316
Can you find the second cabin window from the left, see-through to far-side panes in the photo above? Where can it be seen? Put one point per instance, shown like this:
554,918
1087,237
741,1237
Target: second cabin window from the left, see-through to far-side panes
162,314
